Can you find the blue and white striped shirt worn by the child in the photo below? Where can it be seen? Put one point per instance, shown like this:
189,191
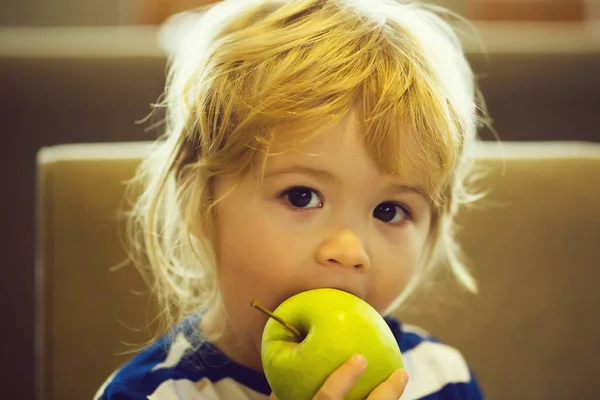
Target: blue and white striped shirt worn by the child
170,369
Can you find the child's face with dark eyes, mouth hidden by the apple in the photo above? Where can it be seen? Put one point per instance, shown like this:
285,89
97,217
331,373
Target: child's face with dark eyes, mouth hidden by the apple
329,219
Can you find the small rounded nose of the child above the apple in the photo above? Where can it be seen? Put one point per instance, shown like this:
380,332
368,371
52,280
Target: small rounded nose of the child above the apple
345,249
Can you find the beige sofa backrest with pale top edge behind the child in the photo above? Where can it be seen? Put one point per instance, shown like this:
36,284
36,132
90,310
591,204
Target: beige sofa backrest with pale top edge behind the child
532,333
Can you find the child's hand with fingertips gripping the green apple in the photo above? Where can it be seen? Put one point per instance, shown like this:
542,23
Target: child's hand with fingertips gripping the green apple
341,381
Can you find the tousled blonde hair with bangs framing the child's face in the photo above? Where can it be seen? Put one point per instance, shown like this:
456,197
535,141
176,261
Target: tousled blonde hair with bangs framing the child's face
250,73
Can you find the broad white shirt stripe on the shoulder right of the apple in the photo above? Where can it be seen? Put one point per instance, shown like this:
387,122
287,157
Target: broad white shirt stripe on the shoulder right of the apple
430,367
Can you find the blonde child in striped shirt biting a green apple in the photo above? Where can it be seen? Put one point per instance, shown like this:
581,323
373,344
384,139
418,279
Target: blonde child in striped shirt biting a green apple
309,143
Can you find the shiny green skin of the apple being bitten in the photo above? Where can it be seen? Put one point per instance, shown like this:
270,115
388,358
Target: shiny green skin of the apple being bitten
337,326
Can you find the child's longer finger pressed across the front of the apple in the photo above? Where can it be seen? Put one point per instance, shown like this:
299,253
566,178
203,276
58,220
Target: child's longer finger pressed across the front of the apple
342,379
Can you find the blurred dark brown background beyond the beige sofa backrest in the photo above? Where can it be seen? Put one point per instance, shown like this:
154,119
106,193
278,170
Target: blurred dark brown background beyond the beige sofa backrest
86,71
